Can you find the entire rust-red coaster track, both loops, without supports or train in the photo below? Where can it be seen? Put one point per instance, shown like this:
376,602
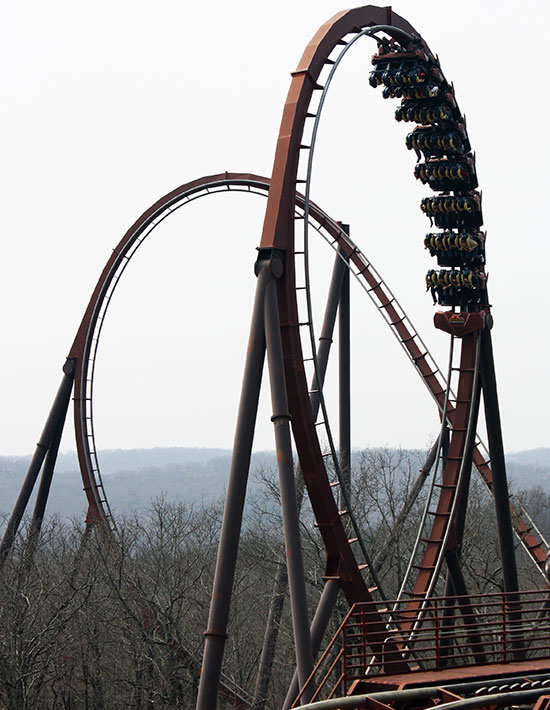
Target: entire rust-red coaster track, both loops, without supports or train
285,209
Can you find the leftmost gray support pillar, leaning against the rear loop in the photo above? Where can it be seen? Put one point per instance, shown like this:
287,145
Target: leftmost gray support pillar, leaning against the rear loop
53,422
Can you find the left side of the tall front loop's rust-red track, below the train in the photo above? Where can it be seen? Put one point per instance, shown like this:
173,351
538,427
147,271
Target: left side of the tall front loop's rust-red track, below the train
278,233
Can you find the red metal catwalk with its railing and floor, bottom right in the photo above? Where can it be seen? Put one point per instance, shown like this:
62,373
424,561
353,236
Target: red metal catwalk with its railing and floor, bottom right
347,660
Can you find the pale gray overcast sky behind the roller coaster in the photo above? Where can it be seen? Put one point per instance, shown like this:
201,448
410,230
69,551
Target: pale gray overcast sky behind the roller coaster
105,108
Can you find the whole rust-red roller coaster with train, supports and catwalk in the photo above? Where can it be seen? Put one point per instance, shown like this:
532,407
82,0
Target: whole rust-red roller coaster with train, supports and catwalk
436,643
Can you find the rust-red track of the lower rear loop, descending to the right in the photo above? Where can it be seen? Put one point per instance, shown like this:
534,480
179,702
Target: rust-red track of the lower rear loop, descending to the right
87,339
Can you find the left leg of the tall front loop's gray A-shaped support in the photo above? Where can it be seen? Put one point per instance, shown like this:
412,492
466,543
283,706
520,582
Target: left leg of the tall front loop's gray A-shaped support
216,633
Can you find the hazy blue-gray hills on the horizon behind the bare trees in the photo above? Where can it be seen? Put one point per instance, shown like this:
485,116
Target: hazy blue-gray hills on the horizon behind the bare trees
134,477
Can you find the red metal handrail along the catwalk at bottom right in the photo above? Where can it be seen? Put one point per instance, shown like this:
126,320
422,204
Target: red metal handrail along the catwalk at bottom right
438,646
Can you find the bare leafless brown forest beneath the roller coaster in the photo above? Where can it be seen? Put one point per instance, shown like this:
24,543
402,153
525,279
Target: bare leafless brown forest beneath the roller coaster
106,621
